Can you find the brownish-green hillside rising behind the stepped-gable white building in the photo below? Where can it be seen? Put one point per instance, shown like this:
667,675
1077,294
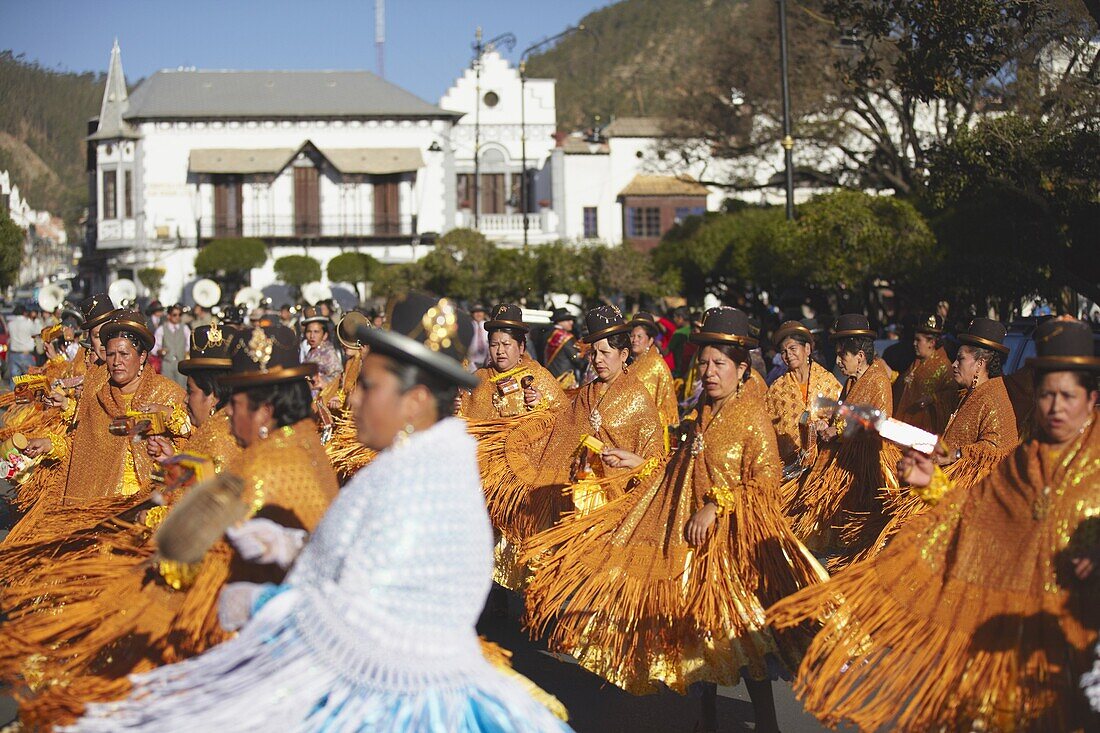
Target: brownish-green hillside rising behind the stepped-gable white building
631,62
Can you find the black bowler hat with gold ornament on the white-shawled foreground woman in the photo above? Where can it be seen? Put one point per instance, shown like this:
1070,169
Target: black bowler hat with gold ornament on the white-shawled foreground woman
427,332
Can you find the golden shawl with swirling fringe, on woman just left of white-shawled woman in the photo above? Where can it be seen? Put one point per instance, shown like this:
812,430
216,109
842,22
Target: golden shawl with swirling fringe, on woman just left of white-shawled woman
109,619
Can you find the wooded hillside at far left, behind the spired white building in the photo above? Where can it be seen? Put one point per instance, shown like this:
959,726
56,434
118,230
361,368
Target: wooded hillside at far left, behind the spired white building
43,121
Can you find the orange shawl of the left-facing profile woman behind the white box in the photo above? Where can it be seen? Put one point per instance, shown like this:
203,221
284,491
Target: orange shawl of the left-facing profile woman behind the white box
985,430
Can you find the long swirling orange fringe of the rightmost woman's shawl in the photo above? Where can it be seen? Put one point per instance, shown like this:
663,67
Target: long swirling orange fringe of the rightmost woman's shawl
879,664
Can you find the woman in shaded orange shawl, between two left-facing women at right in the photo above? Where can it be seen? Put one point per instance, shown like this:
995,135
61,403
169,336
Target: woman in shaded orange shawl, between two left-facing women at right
926,395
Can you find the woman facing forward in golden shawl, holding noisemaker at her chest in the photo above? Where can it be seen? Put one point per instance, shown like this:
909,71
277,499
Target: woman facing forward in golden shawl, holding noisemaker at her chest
512,385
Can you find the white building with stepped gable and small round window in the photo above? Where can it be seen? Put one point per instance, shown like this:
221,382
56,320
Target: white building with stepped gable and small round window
509,127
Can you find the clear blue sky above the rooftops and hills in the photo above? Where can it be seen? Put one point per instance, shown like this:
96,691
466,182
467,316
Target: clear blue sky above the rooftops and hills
428,42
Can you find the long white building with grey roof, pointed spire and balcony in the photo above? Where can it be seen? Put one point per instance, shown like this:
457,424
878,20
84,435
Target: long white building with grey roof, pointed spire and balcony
310,162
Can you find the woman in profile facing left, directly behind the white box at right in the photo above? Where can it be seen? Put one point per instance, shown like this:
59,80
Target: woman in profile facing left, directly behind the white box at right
981,432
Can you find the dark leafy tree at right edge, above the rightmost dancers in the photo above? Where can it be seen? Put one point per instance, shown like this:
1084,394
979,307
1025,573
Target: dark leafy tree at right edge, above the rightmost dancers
1016,204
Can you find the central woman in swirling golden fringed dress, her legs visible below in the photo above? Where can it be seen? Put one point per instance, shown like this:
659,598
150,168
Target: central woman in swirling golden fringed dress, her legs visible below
669,583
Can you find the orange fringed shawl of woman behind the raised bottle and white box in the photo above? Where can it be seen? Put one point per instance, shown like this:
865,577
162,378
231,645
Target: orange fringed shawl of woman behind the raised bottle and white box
844,482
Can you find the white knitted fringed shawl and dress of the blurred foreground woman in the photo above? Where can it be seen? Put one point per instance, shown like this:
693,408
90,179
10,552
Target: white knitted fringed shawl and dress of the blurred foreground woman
375,628
